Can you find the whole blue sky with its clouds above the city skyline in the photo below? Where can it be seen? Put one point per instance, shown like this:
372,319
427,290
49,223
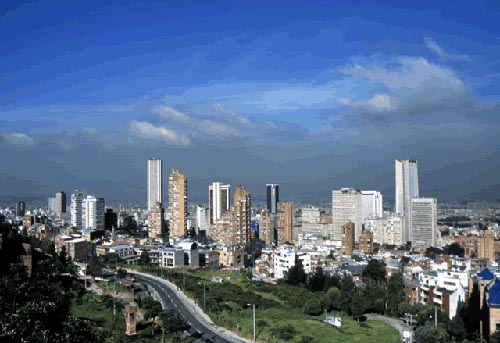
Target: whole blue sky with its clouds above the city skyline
313,95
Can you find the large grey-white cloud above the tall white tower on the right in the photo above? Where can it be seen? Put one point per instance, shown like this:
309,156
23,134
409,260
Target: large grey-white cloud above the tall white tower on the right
410,85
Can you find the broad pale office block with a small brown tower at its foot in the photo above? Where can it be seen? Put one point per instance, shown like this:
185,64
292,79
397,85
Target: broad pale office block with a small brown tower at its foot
346,207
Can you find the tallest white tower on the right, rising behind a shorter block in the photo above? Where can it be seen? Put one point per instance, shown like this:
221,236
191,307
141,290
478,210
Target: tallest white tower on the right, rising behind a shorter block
406,189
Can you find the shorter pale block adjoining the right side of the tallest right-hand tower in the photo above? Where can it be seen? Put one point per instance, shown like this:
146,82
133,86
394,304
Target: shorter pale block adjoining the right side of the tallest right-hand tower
423,222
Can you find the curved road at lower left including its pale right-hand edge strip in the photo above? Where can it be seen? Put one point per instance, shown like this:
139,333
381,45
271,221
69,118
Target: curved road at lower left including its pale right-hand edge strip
169,298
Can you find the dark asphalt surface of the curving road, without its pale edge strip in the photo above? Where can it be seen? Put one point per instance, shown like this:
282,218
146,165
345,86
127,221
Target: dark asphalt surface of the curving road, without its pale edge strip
170,299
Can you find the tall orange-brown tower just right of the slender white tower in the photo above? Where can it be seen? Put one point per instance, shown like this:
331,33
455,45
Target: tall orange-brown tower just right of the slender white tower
177,203
